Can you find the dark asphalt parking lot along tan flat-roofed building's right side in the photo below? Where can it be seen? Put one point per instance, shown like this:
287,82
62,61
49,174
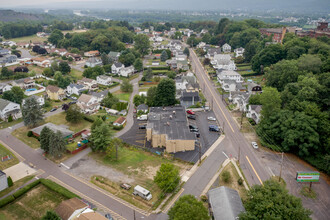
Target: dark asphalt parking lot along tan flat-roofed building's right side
206,139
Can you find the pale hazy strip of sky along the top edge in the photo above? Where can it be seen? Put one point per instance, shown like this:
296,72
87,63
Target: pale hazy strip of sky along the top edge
171,4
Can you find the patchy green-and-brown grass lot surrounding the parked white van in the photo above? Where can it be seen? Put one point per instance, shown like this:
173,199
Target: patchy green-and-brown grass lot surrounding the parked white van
137,164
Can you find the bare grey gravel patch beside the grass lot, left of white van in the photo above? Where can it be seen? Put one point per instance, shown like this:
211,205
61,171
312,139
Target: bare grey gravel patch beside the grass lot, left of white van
86,167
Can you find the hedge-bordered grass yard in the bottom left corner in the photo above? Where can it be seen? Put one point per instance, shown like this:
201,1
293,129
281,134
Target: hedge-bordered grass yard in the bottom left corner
32,205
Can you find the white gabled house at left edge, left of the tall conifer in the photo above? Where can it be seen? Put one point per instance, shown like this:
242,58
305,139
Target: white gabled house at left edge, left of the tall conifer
8,109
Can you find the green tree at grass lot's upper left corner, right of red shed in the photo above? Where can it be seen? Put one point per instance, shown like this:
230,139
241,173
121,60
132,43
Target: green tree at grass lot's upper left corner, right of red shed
101,137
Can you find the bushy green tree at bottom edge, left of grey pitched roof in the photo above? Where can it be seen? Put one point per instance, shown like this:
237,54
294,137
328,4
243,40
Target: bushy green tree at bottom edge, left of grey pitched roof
188,207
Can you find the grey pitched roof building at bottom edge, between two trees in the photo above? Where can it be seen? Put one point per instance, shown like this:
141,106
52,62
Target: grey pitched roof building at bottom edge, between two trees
225,203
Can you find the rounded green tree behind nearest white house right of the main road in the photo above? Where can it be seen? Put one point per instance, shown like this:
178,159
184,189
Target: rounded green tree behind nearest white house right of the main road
270,99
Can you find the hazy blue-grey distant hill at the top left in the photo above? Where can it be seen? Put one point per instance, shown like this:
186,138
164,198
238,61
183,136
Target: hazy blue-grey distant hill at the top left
10,15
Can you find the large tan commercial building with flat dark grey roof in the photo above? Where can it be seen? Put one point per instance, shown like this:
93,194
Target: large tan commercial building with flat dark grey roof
168,127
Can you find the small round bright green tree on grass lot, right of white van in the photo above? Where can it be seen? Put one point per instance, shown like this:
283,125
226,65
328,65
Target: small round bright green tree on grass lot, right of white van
167,177
